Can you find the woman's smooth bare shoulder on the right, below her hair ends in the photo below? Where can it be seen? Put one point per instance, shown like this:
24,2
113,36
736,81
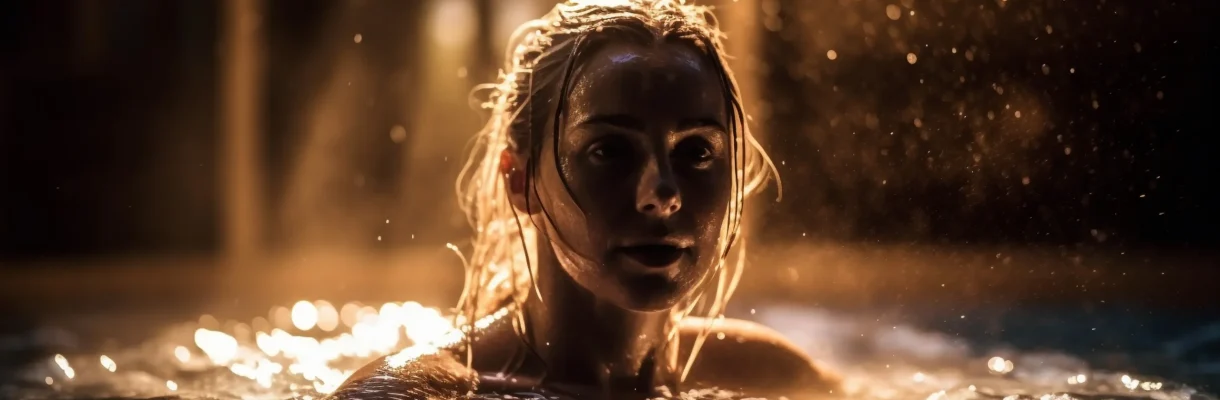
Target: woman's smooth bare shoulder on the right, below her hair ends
755,359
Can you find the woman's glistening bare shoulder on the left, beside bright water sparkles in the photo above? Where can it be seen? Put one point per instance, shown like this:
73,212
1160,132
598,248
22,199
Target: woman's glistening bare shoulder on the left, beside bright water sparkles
436,375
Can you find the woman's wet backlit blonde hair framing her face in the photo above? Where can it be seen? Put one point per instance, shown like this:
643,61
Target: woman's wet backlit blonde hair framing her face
539,71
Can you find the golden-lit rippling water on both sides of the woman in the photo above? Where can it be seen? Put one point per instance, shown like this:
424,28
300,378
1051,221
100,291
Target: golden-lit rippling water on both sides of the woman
308,349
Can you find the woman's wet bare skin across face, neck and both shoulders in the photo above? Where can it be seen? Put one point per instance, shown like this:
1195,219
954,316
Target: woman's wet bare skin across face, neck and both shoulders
631,205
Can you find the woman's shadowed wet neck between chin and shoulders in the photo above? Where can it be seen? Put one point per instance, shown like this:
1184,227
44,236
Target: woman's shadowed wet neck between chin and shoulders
586,341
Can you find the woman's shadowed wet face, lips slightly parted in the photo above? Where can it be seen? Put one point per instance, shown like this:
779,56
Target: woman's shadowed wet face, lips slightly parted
644,175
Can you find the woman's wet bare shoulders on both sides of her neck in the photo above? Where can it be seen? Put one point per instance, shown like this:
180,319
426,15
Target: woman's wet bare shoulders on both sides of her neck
751,360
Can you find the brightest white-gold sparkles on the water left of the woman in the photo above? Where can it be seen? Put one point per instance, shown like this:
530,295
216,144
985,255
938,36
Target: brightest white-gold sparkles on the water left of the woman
275,353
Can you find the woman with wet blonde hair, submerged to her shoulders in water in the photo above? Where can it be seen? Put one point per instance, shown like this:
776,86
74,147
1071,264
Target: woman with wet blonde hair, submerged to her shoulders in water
606,193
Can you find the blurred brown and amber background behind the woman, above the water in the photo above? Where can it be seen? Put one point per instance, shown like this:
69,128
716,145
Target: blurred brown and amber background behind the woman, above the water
1041,166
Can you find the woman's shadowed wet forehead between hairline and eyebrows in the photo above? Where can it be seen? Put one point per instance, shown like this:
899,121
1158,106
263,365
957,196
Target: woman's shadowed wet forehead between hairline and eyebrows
670,80
